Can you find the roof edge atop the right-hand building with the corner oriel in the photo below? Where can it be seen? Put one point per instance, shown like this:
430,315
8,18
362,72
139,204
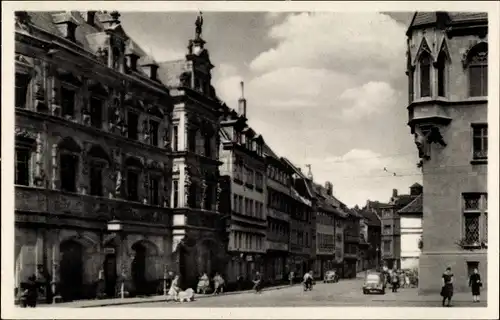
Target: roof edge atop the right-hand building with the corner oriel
422,19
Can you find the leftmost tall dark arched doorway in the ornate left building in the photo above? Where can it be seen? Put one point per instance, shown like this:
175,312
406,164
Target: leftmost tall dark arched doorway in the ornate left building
71,270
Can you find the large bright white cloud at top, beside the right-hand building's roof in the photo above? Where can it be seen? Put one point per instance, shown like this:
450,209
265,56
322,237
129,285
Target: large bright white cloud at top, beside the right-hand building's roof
348,42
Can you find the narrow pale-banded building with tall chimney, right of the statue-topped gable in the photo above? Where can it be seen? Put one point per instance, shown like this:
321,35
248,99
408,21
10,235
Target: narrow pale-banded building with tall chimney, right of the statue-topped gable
244,168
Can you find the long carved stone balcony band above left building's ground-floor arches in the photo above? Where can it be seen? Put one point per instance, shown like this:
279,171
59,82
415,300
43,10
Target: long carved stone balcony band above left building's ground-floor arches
54,202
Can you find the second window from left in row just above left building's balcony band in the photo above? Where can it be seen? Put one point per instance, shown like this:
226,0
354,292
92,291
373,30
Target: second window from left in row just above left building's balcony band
69,154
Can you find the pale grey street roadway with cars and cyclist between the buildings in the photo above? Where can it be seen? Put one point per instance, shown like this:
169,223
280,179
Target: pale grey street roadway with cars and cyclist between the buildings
344,293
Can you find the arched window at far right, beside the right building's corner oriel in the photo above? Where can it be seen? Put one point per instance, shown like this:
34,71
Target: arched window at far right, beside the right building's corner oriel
477,60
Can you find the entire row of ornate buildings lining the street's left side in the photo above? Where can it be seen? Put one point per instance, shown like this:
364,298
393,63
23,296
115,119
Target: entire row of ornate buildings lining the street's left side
127,169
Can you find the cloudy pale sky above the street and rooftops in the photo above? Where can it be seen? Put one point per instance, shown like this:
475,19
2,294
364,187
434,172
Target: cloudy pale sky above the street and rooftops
325,89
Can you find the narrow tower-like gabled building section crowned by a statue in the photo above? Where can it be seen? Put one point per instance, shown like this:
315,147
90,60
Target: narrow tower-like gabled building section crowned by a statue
198,244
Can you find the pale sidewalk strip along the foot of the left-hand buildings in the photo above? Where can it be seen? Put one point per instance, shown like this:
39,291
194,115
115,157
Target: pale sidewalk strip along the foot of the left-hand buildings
119,301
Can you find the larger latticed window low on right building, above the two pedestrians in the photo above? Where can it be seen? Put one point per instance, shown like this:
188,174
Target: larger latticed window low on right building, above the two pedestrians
475,219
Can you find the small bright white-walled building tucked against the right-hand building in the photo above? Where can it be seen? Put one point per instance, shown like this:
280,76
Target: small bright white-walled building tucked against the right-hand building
411,233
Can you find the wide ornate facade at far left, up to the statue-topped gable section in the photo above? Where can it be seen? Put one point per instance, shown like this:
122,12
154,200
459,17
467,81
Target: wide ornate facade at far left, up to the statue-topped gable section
92,158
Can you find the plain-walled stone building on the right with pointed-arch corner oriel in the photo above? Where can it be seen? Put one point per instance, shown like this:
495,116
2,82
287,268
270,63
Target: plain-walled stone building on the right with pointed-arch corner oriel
447,68
